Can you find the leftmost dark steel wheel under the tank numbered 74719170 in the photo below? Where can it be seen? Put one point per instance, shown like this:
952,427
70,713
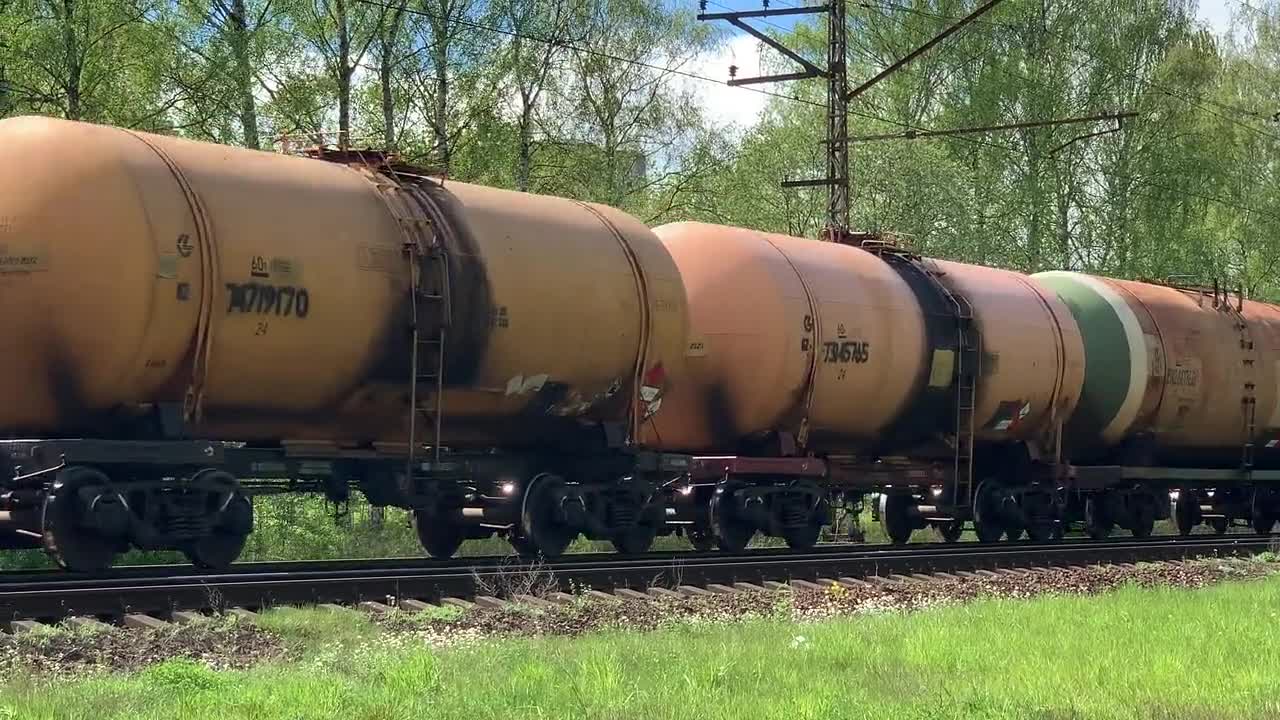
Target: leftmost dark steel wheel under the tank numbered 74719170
67,540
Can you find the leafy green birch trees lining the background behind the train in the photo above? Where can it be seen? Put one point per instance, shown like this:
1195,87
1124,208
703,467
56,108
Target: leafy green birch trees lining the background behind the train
543,95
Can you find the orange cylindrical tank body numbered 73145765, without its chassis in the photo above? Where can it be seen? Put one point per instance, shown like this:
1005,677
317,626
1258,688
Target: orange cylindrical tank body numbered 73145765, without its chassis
834,343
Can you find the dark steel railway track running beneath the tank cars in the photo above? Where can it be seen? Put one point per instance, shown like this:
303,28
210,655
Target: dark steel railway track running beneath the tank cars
161,591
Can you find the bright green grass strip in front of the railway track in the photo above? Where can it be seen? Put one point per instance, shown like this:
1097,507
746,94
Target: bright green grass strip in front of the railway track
1159,654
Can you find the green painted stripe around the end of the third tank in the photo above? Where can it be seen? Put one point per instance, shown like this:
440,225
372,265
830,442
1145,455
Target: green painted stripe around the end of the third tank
1107,353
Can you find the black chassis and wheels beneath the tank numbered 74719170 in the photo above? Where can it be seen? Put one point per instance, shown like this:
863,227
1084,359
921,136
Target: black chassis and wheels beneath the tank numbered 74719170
85,502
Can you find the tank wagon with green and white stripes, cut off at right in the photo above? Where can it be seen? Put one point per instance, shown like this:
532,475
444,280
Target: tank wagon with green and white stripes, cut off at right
1182,389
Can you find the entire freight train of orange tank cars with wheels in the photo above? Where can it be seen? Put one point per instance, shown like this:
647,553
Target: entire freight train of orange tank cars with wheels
189,326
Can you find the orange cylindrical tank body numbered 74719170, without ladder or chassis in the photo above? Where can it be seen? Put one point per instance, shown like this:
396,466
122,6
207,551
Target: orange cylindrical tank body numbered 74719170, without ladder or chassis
286,281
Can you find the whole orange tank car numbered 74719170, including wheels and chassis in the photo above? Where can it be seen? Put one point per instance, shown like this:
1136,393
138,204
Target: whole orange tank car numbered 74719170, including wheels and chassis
163,294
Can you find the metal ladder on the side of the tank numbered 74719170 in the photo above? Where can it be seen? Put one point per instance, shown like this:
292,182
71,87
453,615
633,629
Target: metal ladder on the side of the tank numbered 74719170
429,299
